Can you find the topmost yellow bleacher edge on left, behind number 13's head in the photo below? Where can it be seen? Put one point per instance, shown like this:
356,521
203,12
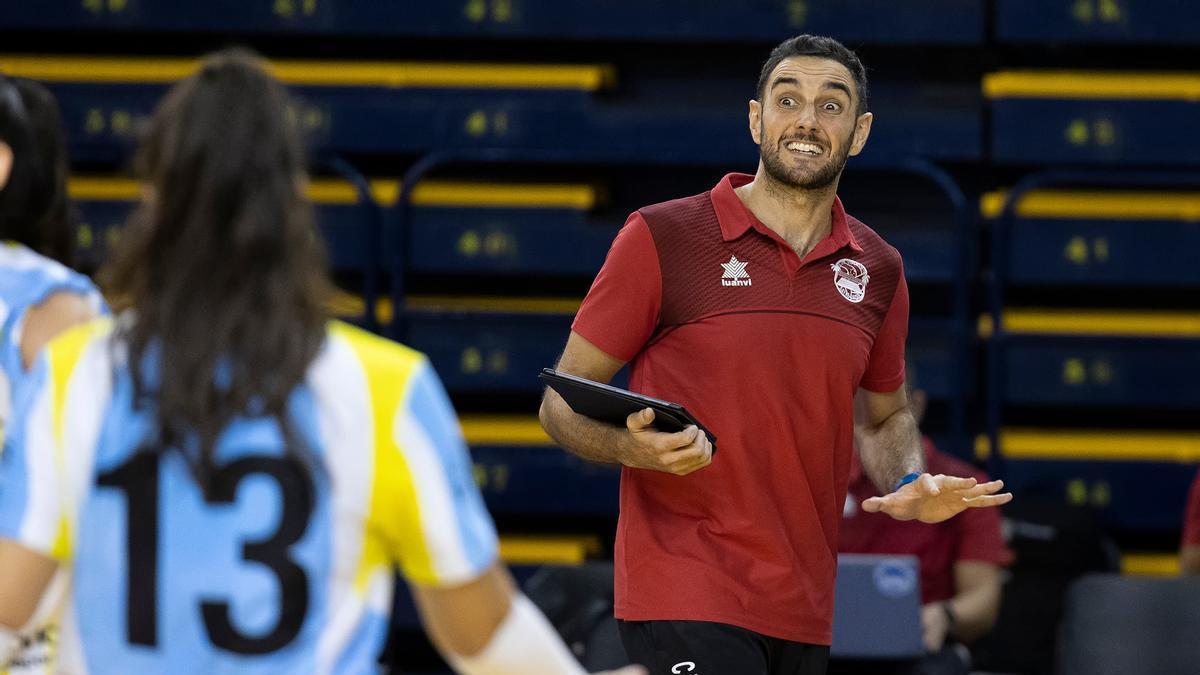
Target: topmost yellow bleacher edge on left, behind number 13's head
589,77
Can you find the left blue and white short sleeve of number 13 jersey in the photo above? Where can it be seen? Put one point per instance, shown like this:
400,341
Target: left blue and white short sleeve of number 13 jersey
31,487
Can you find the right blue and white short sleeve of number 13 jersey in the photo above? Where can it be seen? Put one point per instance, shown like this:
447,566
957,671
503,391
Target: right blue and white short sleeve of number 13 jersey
455,540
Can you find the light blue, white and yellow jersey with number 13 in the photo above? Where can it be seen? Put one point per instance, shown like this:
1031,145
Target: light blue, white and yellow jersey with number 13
280,566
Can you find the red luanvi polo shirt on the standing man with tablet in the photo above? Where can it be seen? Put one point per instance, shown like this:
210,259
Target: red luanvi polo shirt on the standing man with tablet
718,313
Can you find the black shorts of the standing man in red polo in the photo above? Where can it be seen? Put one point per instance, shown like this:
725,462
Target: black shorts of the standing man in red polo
703,648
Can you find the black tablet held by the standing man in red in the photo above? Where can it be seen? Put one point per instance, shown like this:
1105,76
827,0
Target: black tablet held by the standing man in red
614,405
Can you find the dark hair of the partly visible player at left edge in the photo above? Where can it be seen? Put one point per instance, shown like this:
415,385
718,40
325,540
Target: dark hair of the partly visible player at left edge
34,202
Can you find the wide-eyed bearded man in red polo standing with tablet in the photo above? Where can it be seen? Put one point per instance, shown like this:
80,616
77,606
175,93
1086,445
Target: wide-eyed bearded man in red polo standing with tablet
765,309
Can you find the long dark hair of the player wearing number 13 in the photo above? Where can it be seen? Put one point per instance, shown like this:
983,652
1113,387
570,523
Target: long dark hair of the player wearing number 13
221,265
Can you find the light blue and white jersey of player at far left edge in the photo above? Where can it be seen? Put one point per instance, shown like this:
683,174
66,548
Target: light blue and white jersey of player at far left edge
27,279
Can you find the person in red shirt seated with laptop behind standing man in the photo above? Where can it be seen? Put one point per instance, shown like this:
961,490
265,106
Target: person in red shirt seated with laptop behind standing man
961,559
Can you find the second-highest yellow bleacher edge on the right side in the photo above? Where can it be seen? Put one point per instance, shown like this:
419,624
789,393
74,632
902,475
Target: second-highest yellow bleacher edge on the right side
1099,206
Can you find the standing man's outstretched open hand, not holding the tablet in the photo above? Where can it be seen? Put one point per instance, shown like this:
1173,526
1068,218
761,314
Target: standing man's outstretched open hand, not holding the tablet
934,499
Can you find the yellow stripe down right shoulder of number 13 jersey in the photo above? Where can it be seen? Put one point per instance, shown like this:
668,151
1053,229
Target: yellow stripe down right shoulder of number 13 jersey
394,534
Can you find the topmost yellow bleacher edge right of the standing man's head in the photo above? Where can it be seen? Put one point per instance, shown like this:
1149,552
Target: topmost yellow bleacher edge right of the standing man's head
1091,85
